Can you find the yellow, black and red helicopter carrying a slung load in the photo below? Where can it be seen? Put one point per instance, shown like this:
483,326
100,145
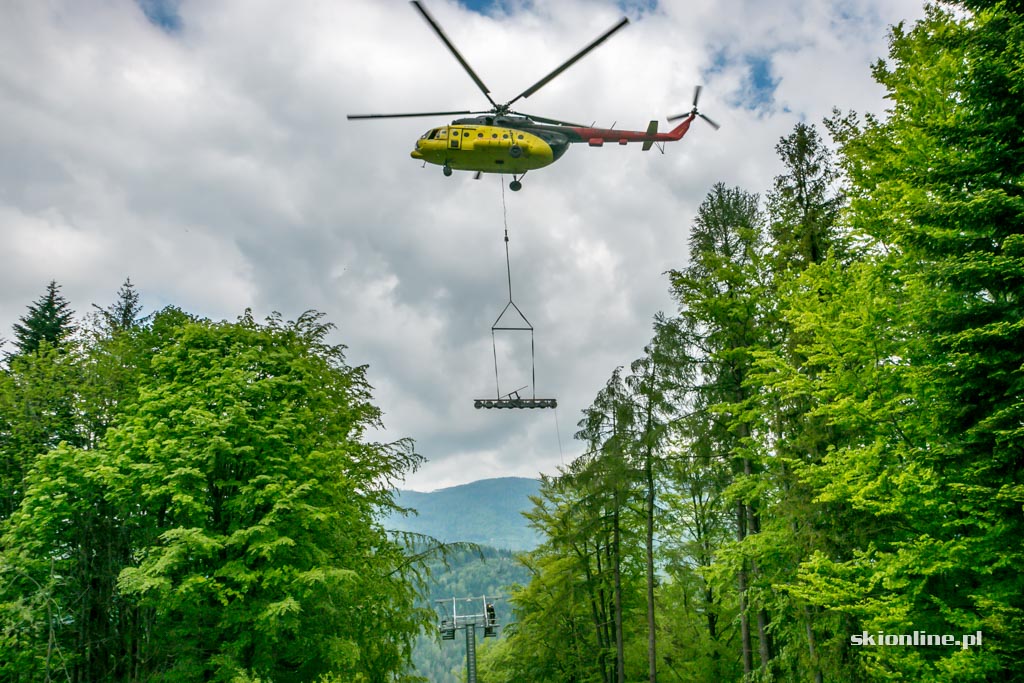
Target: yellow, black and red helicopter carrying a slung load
503,141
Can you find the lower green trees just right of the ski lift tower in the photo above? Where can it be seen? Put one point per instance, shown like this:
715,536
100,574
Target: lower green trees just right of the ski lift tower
566,618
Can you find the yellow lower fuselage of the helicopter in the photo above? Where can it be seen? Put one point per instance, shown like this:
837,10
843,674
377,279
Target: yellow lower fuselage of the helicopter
482,148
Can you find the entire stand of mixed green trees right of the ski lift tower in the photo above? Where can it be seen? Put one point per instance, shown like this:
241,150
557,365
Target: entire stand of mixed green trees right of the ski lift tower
826,437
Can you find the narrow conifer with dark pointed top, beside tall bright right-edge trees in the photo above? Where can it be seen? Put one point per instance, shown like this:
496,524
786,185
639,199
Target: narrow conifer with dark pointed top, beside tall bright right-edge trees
804,207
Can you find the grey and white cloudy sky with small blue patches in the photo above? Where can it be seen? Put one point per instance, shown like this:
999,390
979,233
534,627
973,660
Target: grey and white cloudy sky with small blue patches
201,148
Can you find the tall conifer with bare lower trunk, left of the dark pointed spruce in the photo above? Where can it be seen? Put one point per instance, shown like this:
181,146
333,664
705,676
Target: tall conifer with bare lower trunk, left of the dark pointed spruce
720,297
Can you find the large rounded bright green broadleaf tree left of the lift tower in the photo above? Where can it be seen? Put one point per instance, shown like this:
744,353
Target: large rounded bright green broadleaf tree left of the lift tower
247,446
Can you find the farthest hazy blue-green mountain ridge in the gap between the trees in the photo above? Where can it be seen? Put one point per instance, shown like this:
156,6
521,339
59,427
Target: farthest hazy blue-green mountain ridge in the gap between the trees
488,513
